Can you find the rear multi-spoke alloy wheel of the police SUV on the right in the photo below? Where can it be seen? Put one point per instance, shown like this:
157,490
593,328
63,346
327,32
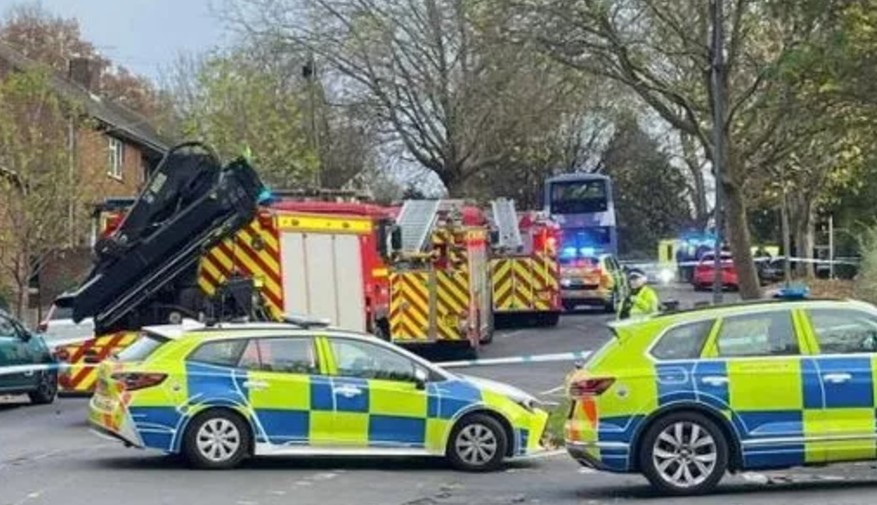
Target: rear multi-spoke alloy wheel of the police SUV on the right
684,454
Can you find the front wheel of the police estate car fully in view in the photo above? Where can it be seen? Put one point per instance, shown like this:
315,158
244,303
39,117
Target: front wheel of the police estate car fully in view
478,443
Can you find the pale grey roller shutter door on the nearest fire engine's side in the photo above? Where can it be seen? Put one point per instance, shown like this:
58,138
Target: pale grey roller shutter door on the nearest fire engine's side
323,277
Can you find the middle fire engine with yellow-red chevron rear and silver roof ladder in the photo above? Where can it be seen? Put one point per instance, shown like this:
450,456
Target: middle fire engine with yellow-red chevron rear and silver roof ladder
439,283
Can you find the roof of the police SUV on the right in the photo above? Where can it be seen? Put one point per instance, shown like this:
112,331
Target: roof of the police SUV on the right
747,306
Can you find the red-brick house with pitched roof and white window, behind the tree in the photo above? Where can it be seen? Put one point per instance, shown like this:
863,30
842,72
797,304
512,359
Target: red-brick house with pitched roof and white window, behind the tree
114,152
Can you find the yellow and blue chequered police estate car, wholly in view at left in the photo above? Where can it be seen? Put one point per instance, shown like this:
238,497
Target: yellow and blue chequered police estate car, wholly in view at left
220,394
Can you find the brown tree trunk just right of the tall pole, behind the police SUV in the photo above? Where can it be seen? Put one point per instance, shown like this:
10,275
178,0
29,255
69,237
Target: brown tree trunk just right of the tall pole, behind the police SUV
738,235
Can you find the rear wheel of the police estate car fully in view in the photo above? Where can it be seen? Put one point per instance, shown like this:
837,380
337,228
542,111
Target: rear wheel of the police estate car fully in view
216,440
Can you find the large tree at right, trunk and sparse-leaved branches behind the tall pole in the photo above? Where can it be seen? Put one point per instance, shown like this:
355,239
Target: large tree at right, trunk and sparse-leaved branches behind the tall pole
660,50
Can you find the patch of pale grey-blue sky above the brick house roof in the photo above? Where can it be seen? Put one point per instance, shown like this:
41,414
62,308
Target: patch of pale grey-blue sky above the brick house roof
141,35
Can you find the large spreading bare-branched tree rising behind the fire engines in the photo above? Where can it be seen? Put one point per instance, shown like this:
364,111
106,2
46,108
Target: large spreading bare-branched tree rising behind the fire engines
432,71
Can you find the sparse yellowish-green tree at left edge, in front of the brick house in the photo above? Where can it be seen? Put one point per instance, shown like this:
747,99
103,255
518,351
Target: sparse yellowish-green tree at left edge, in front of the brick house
37,179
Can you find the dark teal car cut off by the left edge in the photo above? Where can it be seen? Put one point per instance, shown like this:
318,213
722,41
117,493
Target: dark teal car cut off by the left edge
21,349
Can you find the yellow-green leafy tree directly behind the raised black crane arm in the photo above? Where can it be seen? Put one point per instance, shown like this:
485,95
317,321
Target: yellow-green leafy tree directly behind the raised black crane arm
231,102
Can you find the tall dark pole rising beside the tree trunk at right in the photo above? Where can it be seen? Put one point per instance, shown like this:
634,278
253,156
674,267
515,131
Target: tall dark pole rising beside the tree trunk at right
718,69
